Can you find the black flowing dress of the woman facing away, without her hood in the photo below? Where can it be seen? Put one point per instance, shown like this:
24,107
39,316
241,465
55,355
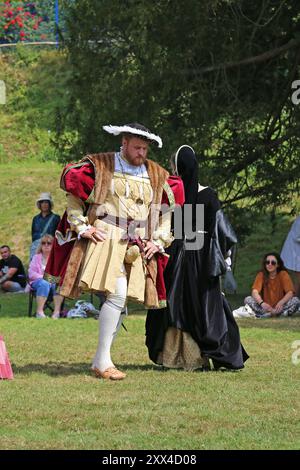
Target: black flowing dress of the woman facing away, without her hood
195,303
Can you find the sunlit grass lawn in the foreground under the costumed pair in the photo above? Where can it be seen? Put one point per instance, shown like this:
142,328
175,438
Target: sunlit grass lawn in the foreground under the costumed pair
54,402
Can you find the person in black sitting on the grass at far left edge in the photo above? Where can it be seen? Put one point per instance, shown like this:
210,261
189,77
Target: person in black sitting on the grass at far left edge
12,272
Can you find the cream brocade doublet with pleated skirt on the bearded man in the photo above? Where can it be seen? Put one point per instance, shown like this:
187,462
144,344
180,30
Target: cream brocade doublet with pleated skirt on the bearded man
129,196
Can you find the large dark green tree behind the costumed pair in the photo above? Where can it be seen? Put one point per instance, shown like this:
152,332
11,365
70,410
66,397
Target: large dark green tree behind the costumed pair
216,74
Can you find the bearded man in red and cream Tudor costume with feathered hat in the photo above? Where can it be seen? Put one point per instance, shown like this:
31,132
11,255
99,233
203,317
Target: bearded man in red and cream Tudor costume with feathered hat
112,236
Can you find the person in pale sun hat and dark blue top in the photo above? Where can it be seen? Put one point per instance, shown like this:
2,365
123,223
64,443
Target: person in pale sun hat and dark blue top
44,222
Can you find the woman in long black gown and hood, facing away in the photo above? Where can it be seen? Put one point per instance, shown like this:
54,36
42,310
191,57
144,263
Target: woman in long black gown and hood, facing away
197,324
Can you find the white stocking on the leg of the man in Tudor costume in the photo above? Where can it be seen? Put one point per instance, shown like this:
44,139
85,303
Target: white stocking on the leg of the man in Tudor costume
110,320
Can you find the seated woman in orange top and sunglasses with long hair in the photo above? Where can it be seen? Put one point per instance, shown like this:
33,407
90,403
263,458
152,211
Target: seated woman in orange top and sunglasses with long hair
273,291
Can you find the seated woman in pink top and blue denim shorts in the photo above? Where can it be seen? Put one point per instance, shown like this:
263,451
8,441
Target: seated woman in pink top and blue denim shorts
40,285
